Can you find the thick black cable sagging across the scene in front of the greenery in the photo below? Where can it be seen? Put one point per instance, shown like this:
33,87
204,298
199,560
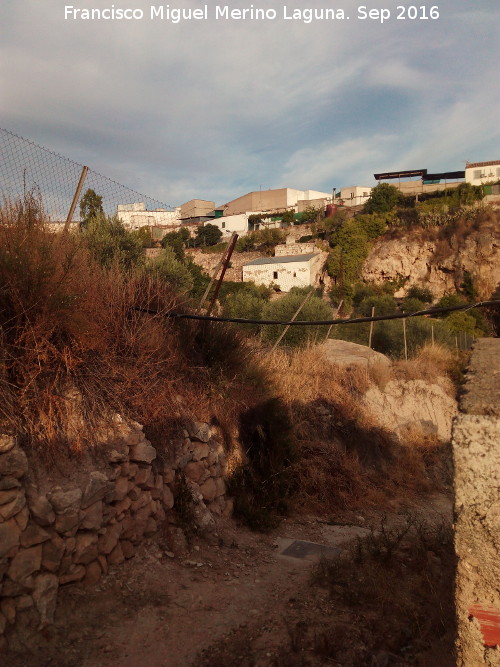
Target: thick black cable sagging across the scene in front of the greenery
356,320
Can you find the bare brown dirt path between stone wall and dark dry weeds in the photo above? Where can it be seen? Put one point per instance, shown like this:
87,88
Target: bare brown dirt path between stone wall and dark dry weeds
166,610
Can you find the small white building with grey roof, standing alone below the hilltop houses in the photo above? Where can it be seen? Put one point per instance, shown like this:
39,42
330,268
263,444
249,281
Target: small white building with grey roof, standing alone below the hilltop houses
286,271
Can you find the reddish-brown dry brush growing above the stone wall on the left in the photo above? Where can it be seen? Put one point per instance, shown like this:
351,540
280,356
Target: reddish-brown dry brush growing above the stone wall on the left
75,349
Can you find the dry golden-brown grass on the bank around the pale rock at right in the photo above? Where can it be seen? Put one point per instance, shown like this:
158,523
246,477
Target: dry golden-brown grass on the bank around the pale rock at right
346,460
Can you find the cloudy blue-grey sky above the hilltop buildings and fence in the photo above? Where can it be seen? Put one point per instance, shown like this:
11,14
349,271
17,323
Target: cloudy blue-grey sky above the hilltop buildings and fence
213,109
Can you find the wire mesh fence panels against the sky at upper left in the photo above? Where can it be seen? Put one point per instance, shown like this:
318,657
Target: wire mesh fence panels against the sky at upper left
26,167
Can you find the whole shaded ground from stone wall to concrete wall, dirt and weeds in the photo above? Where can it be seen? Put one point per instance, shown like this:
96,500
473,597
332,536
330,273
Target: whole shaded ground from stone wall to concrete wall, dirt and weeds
386,598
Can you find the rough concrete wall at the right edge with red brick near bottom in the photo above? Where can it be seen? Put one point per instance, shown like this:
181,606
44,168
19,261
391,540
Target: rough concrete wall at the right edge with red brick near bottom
476,453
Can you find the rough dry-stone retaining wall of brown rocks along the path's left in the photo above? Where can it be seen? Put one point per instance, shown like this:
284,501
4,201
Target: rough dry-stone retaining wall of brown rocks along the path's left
73,521
